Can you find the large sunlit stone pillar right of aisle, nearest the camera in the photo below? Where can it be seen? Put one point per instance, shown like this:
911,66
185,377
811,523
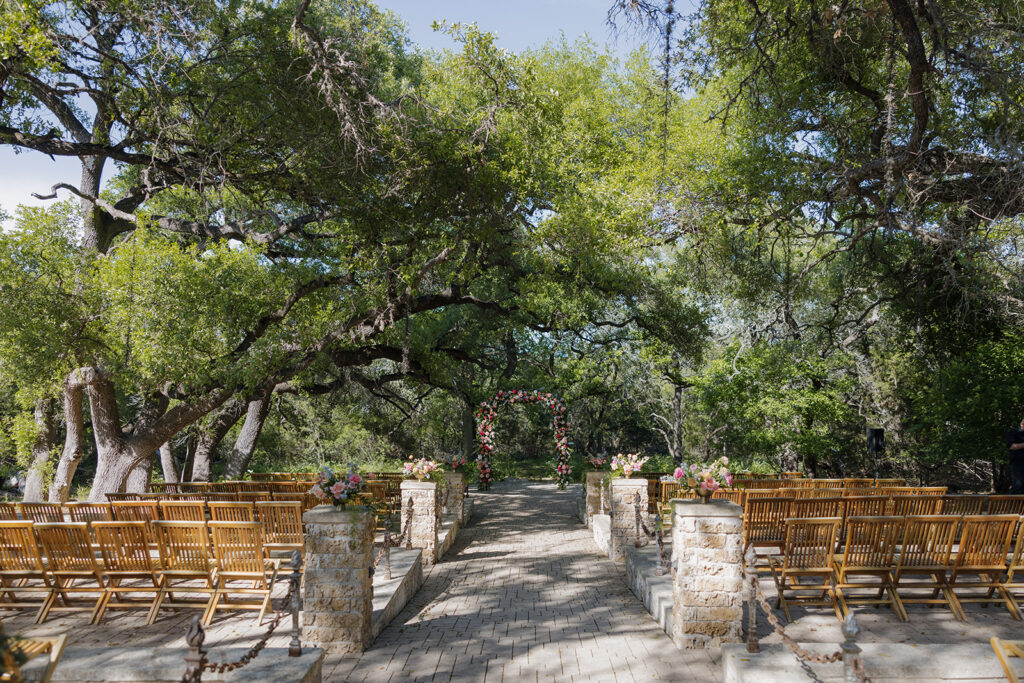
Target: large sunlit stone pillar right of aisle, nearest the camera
709,588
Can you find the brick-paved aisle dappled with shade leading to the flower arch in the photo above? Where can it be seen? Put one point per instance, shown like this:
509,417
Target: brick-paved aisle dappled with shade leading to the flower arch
525,595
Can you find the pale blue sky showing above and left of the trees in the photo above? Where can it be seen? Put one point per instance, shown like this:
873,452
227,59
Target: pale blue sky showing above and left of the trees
520,25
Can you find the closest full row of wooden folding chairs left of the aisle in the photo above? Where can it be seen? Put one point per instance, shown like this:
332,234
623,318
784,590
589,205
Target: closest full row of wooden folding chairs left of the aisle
58,564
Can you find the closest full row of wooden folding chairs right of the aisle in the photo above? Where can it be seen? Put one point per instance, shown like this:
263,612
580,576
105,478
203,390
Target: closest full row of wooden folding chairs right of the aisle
903,554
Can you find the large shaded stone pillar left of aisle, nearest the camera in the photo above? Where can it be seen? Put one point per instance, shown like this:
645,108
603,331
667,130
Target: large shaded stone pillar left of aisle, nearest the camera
338,591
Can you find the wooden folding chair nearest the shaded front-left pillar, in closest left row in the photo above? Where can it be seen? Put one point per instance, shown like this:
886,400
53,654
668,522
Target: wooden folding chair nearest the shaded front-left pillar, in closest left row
239,551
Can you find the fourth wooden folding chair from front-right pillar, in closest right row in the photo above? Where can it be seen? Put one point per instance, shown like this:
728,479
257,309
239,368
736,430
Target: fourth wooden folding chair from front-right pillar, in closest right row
982,561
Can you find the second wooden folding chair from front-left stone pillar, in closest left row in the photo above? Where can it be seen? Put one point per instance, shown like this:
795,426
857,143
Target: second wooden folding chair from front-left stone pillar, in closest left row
185,562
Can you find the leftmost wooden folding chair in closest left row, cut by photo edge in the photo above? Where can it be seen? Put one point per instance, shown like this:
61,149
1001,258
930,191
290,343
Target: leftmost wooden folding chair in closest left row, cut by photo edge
23,573
